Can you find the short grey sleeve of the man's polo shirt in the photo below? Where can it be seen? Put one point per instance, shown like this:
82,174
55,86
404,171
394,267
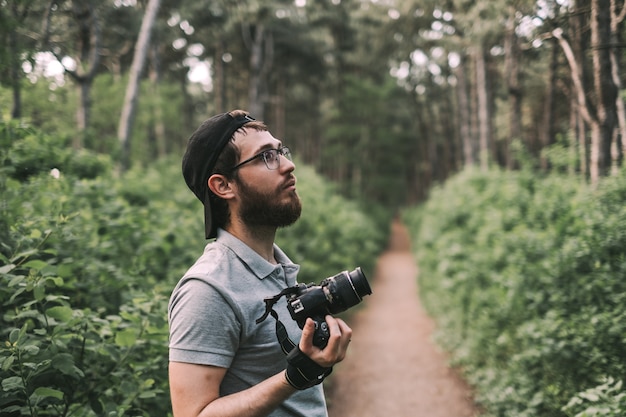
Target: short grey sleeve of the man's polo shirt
204,328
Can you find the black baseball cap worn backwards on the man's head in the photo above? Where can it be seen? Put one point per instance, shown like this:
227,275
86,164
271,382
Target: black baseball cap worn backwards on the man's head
203,149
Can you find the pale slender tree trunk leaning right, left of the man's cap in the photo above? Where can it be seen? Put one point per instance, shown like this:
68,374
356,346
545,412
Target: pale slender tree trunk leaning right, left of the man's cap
132,90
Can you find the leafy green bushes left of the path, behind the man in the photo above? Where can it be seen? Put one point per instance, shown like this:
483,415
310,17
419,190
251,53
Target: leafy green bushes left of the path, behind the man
87,263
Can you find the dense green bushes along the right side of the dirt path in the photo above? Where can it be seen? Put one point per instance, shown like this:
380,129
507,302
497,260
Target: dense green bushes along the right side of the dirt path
526,278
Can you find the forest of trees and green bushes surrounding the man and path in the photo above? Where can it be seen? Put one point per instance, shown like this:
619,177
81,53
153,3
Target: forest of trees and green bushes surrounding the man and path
495,129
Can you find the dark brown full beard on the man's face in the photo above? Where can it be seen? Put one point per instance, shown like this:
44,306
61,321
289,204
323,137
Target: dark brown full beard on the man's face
262,209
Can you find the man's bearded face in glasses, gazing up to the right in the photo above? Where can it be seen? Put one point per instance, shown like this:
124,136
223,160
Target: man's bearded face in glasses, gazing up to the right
266,197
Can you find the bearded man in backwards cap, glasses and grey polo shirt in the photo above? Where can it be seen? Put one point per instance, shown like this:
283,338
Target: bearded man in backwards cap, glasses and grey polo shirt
222,363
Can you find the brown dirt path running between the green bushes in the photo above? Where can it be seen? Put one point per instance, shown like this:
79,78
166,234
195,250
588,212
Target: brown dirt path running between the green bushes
392,368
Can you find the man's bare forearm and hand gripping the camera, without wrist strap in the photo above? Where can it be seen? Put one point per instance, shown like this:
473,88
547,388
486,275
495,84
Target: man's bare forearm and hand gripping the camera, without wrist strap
195,388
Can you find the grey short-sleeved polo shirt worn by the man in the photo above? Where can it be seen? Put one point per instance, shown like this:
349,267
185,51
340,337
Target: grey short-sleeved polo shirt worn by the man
212,315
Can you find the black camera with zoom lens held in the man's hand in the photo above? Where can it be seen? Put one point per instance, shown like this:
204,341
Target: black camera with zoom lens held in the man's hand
333,295
